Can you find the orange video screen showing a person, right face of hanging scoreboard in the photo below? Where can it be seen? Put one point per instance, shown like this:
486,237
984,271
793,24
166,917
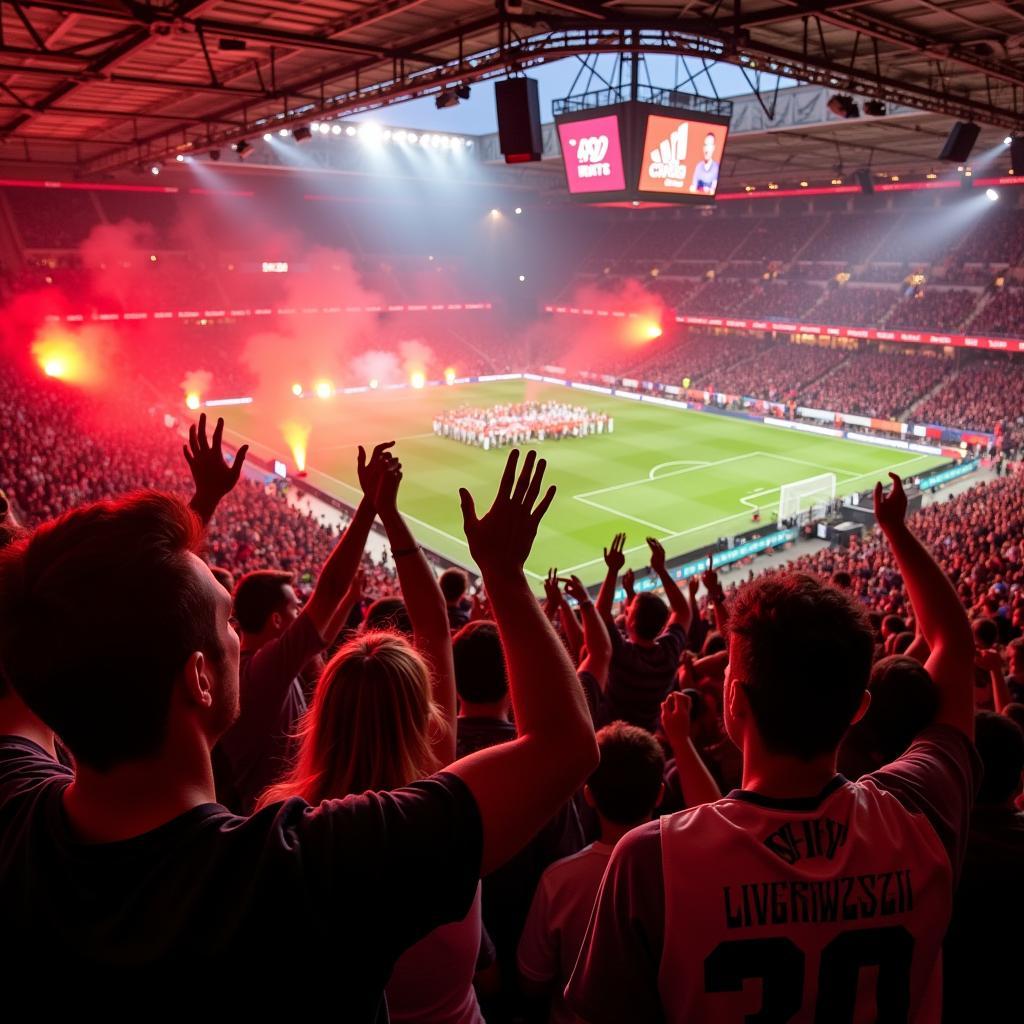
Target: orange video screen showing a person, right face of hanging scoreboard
681,156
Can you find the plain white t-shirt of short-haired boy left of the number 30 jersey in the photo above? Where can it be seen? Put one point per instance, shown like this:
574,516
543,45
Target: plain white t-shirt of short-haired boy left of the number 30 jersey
558,922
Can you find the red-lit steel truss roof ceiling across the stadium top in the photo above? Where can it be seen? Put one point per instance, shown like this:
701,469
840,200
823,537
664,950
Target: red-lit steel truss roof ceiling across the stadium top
101,86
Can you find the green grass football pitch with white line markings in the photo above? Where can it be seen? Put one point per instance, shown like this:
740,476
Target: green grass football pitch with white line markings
685,478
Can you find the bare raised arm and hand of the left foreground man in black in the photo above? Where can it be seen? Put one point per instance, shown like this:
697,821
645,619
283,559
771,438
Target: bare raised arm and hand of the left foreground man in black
520,786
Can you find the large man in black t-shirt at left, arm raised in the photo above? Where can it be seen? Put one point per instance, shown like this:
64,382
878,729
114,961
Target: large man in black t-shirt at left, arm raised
130,869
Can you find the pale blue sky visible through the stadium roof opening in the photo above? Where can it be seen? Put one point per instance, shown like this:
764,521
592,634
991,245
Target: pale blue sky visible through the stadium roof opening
477,115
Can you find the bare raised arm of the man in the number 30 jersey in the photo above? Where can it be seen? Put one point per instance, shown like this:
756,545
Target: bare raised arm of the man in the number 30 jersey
944,622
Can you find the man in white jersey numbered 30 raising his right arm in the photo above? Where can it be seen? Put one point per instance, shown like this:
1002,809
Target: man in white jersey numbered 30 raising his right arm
803,897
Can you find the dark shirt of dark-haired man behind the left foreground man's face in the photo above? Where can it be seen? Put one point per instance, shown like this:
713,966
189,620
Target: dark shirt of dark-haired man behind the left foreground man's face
255,750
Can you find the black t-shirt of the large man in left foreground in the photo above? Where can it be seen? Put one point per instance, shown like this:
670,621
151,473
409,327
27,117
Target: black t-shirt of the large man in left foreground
331,894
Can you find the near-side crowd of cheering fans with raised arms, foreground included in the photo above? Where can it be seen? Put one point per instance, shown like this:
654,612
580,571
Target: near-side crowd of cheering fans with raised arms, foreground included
251,776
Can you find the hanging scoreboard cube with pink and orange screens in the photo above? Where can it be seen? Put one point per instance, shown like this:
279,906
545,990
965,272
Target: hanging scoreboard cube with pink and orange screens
641,153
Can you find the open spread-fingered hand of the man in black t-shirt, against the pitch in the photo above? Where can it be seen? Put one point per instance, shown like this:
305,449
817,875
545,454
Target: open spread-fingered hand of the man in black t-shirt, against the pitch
502,540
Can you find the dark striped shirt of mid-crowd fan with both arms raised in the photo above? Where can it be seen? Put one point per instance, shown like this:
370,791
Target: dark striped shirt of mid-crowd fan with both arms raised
642,677
